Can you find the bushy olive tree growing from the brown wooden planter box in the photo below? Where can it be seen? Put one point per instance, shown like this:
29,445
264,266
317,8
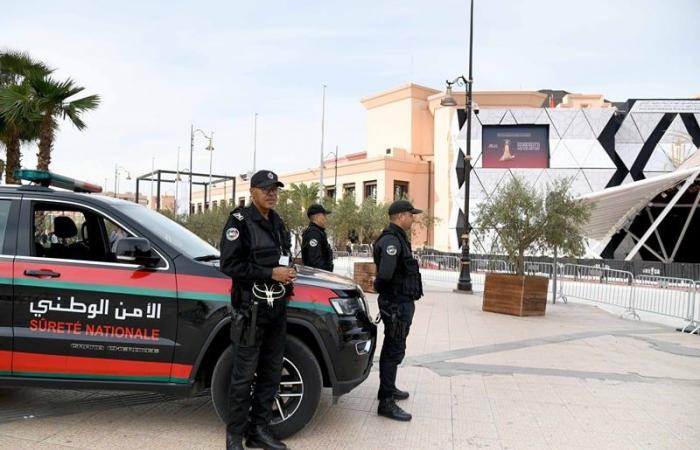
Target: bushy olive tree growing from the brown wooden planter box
518,219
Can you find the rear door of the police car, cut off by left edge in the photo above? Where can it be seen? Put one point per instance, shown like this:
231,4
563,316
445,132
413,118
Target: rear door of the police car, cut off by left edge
9,207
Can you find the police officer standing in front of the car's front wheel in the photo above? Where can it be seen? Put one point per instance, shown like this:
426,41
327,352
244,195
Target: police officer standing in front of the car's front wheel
255,253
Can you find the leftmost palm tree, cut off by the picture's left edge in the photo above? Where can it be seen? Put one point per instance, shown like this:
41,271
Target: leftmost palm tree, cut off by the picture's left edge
15,69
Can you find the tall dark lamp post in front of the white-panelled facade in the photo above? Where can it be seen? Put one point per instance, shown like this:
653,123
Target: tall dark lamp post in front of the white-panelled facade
465,282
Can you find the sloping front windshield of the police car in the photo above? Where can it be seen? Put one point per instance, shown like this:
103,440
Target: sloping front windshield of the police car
179,237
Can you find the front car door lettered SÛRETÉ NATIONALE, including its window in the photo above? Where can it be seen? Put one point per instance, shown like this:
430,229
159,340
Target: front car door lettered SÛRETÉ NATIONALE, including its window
78,313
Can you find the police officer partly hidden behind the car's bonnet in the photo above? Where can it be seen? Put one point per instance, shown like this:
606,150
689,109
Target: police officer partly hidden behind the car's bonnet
315,249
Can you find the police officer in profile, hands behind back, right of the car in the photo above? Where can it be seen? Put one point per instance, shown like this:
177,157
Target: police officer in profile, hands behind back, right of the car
399,285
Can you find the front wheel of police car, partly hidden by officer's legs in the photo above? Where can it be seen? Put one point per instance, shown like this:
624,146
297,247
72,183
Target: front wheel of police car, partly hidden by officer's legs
299,394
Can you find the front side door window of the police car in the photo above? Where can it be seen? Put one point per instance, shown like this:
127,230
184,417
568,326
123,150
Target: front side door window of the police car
69,232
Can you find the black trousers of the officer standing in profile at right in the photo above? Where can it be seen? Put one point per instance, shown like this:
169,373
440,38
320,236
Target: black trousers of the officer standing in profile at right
393,348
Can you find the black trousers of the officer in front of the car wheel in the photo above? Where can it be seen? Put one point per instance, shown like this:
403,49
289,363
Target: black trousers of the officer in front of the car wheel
260,363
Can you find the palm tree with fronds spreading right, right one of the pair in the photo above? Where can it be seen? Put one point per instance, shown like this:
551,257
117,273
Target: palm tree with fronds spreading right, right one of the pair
52,103
